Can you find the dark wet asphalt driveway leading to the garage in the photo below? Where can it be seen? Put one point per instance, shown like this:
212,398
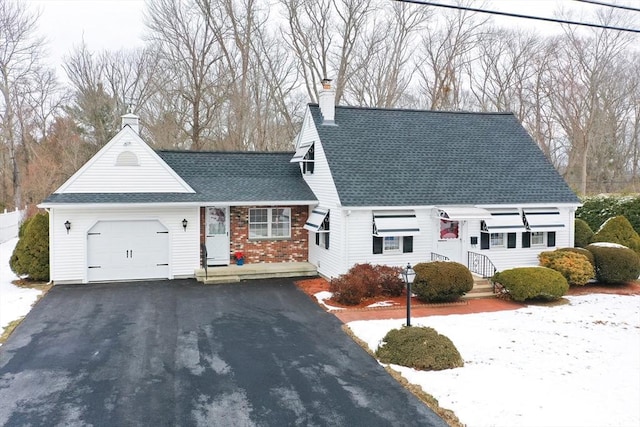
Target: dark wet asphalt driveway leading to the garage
177,353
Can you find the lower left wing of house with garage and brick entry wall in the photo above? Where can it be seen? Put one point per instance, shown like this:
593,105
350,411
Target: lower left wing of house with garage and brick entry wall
133,213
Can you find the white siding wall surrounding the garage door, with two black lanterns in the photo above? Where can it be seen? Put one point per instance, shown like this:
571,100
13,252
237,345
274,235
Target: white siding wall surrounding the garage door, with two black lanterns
68,253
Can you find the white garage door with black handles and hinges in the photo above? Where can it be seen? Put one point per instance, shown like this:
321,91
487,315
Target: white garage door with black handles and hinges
127,250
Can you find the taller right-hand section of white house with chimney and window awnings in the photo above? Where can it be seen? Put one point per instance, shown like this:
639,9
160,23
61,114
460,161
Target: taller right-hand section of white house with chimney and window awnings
397,186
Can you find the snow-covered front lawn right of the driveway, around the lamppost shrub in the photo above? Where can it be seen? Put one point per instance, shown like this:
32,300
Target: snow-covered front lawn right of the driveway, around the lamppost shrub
569,365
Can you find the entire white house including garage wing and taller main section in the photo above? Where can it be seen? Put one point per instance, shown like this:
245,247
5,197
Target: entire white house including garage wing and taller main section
384,186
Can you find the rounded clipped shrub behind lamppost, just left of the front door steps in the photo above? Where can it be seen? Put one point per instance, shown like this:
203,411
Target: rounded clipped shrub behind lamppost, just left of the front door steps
441,281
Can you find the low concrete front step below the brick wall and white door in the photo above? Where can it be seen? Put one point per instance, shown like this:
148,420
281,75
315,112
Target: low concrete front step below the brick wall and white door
234,273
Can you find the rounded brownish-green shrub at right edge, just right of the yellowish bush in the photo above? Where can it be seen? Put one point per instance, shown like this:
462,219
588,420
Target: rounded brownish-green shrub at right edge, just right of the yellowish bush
615,263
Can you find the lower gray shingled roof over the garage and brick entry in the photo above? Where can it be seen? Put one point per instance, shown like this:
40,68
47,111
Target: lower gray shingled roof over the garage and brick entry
217,177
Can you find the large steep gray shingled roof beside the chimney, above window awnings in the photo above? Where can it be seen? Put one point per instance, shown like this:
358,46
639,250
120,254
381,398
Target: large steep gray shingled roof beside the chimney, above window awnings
383,157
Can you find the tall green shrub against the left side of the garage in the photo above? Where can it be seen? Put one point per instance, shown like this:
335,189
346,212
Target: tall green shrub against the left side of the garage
31,255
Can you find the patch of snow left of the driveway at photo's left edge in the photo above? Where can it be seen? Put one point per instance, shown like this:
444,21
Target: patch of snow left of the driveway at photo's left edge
15,302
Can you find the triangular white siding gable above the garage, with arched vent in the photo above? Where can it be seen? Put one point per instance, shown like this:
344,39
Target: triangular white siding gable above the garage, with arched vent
105,172
